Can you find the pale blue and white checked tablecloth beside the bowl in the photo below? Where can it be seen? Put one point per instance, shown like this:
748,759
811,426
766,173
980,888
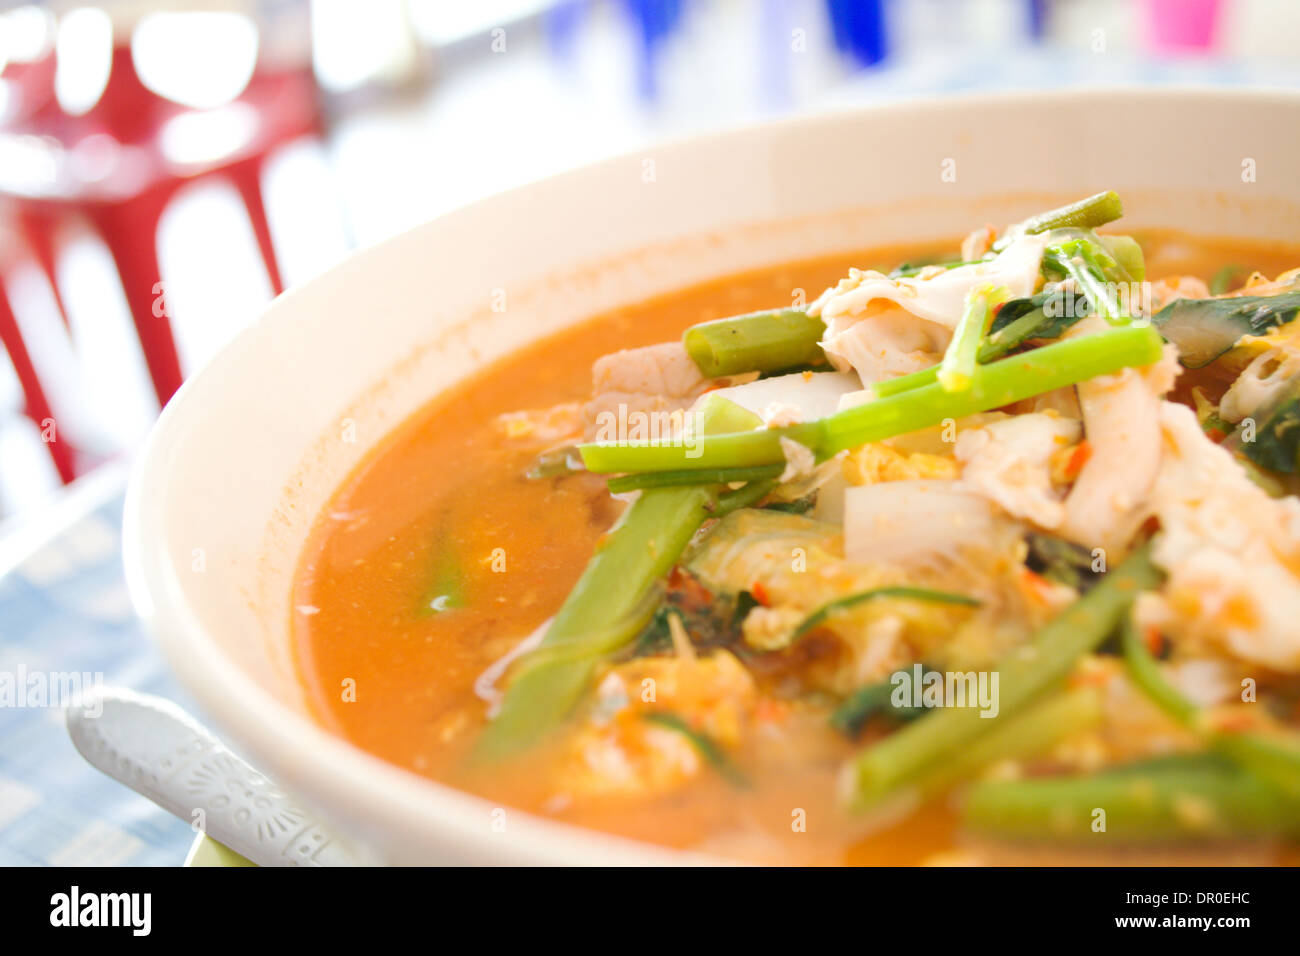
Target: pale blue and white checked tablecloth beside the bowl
64,611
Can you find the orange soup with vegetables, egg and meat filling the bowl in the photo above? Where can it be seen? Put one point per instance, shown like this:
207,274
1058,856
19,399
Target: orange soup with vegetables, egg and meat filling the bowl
730,707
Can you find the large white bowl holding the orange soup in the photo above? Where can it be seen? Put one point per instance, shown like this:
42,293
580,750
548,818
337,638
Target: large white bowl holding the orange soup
249,452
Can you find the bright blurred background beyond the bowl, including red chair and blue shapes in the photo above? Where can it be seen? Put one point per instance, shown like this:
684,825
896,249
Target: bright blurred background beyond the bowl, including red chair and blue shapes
166,168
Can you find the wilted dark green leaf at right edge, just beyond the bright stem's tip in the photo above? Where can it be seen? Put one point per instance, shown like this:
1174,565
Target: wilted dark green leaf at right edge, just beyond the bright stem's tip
1204,330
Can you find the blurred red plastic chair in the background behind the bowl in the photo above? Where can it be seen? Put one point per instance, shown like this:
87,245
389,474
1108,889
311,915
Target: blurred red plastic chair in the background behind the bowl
135,181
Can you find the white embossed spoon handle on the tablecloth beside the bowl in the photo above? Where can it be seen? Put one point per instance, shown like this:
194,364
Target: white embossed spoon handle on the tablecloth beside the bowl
163,754
